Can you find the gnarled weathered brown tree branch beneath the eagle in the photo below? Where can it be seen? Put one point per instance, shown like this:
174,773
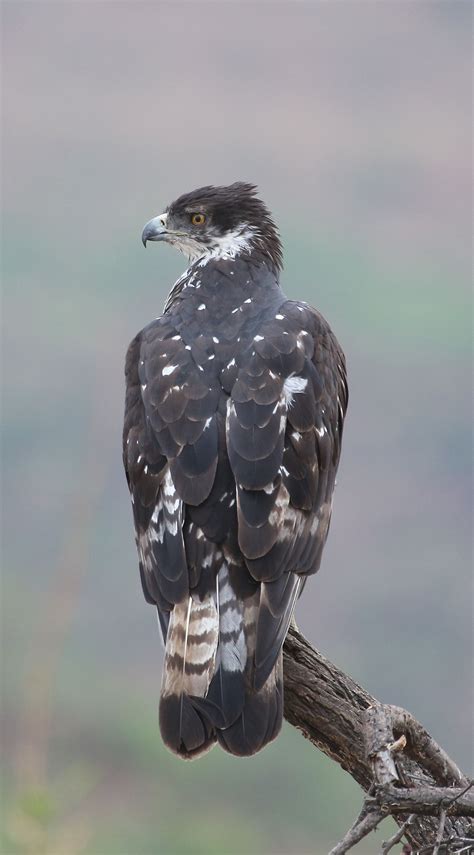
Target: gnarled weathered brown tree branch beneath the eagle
384,749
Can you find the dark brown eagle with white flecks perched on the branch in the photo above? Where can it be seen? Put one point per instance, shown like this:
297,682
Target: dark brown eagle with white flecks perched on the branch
234,410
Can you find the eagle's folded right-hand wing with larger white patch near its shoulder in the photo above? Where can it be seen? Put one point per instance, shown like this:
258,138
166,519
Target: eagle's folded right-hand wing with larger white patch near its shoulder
284,428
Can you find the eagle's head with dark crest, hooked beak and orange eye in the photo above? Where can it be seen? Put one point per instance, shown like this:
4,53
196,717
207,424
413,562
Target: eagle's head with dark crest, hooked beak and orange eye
218,222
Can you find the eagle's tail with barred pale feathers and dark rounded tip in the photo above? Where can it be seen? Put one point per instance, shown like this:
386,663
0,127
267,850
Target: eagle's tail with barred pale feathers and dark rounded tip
209,691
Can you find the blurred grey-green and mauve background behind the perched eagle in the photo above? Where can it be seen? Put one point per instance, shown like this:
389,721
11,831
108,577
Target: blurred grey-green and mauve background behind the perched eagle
354,120
